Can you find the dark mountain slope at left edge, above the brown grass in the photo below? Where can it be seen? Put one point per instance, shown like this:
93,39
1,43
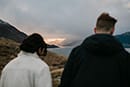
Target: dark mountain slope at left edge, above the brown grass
11,32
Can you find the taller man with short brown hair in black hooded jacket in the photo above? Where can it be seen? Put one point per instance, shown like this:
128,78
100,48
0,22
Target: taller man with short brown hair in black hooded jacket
100,61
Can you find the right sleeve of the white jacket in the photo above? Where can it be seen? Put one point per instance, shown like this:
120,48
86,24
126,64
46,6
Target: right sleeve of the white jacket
44,78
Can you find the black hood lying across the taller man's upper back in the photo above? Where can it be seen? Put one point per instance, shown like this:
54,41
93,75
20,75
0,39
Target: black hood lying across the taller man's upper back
102,44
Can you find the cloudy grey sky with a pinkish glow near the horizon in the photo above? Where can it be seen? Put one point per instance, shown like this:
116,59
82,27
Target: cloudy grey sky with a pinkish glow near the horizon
63,19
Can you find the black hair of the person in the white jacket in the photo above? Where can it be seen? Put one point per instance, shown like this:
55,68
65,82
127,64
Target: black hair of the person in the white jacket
32,44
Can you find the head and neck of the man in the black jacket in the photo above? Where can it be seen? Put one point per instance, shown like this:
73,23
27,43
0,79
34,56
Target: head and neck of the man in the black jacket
105,24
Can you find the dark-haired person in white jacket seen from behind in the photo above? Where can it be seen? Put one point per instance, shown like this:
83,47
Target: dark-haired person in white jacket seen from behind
28,70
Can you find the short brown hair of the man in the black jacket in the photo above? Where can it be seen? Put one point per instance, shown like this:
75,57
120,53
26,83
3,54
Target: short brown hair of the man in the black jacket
105,22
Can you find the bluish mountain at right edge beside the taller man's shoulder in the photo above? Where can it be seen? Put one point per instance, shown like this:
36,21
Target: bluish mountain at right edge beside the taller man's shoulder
124,39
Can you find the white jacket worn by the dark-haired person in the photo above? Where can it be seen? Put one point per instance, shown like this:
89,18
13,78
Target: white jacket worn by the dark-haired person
27,70
